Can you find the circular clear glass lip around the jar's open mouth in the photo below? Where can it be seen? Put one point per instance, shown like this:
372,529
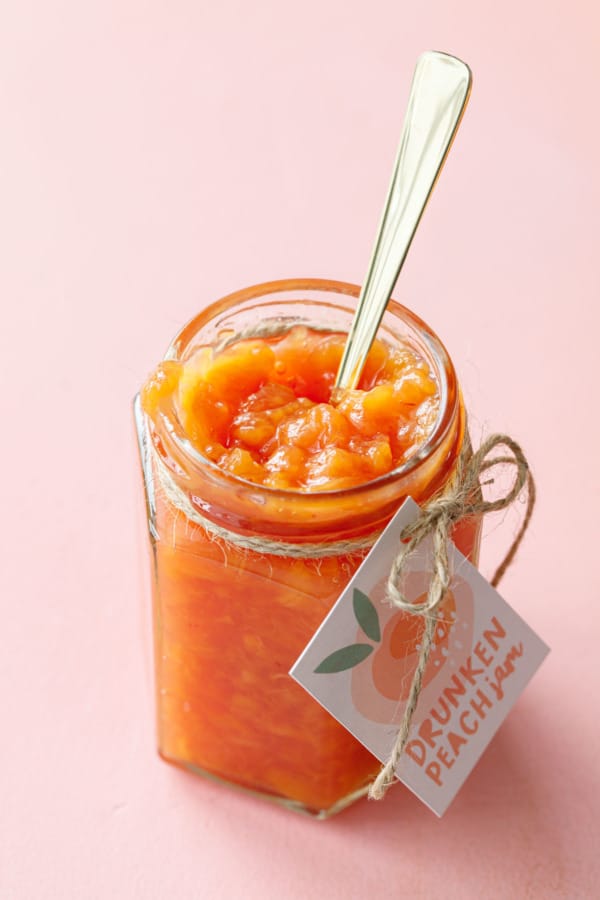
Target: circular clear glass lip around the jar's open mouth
292,292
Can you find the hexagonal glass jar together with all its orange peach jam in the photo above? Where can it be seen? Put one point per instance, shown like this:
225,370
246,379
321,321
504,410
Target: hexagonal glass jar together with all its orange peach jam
265,489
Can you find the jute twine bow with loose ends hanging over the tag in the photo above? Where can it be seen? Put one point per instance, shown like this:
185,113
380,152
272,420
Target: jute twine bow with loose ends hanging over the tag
460,499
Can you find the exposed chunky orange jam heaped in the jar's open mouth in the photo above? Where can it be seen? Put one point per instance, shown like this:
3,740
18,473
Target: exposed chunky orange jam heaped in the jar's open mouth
265,410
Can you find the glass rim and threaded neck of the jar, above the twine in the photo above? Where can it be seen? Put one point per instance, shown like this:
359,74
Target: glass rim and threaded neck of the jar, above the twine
248,508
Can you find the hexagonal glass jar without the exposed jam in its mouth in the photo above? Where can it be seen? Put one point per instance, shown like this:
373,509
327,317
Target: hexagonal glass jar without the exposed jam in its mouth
243,575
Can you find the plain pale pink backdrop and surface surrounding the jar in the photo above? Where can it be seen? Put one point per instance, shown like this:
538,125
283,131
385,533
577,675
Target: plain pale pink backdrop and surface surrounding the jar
155,156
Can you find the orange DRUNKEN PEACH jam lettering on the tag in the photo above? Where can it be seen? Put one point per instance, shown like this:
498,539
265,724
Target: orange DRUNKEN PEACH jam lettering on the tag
472,692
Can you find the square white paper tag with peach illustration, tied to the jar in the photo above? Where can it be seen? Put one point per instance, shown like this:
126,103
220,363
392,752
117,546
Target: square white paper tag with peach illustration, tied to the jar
360,663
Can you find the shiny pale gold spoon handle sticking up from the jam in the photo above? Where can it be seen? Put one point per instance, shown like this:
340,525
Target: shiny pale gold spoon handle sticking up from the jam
438,96
